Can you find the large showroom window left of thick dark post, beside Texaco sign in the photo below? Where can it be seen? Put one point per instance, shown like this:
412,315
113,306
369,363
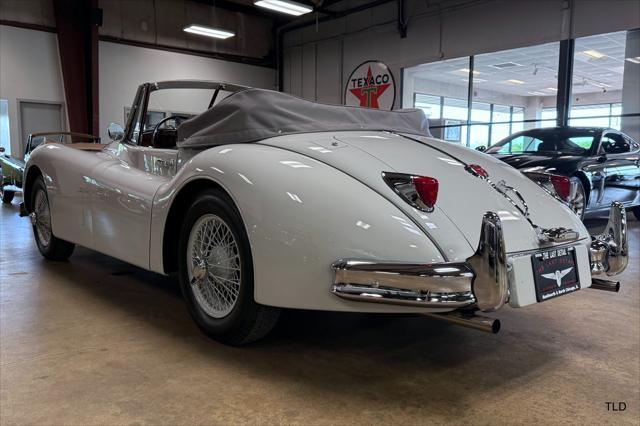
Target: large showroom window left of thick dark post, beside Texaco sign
511,91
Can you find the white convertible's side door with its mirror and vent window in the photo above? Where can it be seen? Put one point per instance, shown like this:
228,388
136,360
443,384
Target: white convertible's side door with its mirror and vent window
128,180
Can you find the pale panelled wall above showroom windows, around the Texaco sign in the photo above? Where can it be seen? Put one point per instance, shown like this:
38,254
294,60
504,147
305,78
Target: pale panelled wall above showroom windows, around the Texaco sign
483,27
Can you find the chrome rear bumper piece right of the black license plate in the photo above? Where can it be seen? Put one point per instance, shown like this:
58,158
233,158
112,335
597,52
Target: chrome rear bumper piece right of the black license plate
609,251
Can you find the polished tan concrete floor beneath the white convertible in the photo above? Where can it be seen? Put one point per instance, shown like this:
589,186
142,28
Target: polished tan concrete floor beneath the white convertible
96,341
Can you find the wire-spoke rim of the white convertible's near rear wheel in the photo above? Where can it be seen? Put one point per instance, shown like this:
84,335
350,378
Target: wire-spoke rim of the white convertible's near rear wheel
214,266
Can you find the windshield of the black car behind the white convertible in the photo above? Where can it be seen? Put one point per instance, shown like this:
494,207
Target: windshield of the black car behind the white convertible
561,141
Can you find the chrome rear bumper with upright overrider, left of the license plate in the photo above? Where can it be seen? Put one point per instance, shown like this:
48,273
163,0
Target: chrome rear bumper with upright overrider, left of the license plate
481,282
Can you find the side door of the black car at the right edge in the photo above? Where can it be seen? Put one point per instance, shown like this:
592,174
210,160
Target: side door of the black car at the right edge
620,156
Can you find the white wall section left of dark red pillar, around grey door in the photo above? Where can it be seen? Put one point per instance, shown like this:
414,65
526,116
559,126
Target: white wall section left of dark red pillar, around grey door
29,70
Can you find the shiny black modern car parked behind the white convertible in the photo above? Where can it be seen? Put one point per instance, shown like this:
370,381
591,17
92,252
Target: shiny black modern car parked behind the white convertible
588,167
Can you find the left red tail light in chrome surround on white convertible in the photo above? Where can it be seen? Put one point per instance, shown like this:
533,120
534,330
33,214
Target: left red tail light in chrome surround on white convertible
419,191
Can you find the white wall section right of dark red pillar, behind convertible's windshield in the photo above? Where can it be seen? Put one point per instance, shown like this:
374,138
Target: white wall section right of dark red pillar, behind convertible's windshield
124,67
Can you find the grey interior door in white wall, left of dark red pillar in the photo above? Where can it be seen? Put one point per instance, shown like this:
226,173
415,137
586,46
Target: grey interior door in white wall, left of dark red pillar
38,117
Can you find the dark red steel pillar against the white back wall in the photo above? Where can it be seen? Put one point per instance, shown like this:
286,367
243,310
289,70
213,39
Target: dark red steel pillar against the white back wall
78,46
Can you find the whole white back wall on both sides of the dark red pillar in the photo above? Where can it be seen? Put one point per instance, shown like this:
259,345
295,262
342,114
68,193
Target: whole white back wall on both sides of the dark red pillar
30,70
